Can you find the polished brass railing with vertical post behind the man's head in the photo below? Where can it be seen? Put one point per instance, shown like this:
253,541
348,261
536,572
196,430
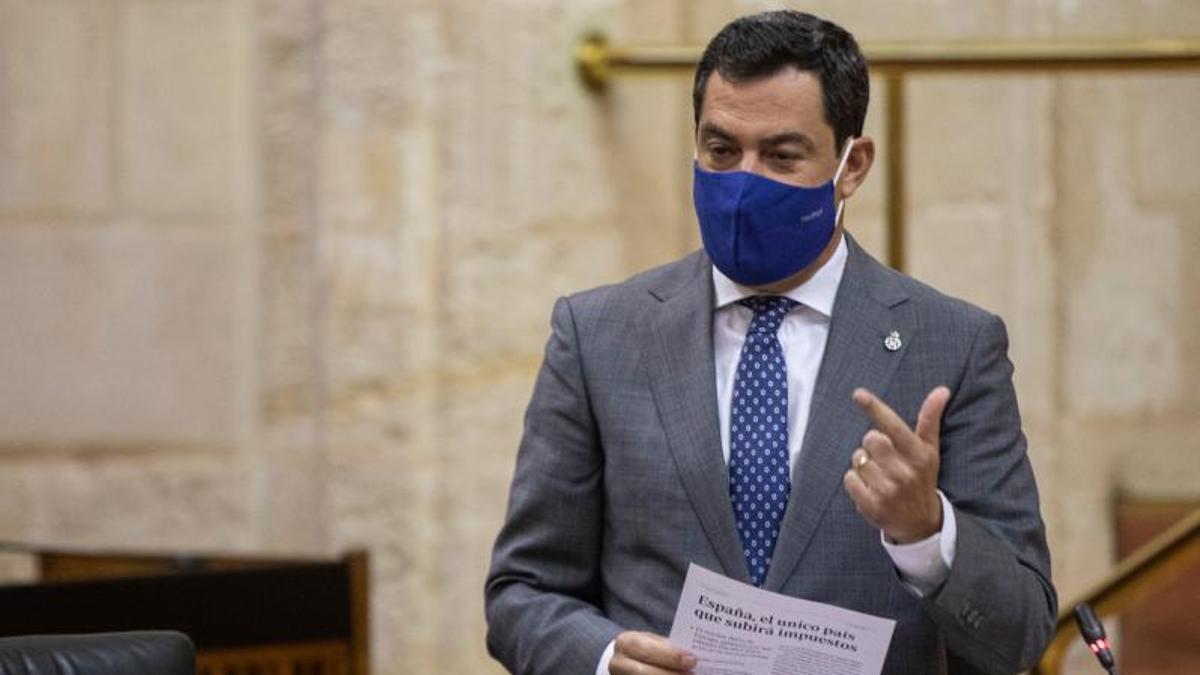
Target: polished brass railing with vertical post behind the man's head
599,62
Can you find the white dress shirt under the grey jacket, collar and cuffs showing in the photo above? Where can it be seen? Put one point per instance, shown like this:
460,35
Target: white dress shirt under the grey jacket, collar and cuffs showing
923,565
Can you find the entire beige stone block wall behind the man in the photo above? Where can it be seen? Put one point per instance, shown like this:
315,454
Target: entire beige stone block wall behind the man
277,274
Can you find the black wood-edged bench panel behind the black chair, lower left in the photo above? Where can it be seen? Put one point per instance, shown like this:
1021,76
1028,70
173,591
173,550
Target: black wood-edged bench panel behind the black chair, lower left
247,616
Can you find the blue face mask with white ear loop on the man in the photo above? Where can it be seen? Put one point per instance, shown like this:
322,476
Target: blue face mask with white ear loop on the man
759,231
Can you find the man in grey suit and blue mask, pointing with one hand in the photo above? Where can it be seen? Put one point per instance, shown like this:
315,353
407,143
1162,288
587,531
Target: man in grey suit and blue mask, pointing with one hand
778,408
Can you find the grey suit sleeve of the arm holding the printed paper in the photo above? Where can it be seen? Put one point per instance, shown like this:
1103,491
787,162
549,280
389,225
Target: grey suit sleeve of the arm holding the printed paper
544,587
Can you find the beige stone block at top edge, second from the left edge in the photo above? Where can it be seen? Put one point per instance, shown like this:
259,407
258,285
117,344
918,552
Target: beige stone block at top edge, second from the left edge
185,109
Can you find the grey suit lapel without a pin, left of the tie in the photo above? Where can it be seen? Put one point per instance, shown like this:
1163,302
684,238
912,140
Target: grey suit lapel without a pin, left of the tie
685,384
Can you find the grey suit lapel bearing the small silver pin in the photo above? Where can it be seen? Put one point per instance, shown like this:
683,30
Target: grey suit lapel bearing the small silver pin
866,312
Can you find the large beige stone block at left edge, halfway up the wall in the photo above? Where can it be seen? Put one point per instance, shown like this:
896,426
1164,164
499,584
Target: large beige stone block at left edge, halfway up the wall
124,338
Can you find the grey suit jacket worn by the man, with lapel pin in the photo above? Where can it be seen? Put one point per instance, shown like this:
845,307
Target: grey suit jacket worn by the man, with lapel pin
621,481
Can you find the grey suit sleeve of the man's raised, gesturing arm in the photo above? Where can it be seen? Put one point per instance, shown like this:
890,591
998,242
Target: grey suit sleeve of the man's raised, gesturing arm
998,607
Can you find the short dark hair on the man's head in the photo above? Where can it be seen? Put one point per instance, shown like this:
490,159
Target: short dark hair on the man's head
763,45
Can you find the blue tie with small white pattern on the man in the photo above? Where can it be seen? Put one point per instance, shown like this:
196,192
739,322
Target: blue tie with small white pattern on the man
759,476
